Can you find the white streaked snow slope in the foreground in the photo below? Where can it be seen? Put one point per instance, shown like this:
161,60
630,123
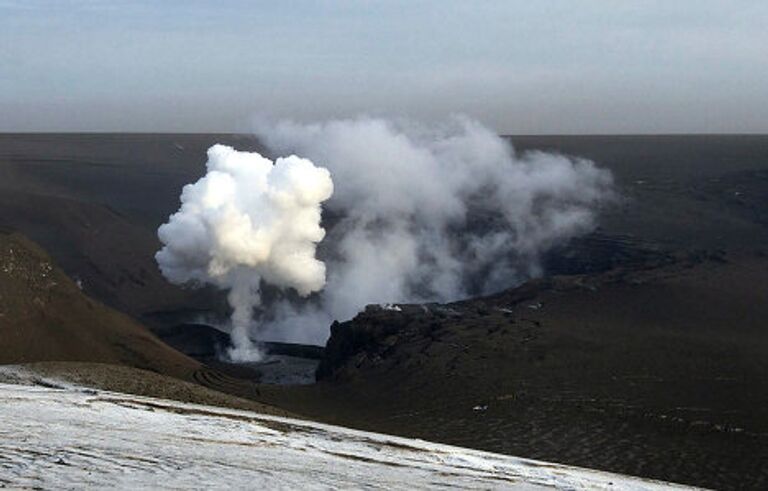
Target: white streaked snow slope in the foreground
74,437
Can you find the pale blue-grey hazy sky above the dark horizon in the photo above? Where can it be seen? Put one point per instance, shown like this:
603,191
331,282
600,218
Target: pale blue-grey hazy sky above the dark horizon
522,67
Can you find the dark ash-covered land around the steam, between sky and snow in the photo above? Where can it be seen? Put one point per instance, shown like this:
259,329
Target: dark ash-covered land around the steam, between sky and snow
642,350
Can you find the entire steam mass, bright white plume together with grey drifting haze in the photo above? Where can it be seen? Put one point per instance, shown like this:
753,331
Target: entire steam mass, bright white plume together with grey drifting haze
417,214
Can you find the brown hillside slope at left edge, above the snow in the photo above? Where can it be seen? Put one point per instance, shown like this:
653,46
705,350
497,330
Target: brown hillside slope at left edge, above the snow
45,317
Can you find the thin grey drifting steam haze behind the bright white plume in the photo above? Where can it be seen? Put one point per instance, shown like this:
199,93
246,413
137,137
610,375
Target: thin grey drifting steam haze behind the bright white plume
429,214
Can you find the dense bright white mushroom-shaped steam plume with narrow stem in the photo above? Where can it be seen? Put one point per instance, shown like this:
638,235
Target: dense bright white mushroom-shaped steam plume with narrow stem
245,221
